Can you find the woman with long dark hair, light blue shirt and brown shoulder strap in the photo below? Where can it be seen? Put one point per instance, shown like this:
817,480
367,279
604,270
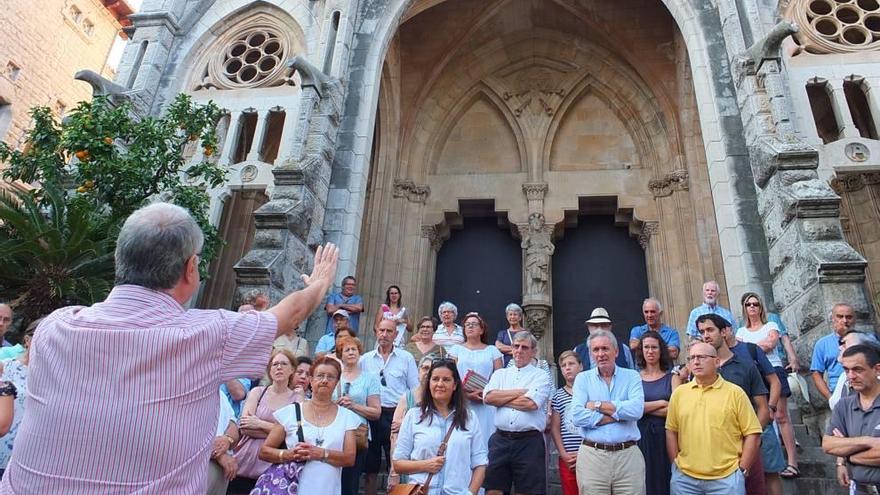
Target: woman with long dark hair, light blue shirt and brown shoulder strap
462,466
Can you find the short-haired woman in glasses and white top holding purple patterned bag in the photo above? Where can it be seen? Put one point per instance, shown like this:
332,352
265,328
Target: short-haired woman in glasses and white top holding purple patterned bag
327,429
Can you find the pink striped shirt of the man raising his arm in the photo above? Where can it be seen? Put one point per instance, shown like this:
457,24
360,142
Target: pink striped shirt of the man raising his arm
122,395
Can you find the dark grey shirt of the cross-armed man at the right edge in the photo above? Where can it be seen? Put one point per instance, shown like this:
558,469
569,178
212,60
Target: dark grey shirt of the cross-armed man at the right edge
852,421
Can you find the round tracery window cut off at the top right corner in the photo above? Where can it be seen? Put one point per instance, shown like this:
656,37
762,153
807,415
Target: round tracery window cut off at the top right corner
837,25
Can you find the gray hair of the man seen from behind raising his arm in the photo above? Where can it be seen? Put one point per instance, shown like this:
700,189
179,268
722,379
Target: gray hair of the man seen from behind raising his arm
154,245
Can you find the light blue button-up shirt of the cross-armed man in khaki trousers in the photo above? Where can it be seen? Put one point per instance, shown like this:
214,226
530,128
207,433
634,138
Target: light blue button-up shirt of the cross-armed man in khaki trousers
625,392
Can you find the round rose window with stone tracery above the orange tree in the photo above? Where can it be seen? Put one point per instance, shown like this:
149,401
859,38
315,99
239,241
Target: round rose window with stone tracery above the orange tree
253,57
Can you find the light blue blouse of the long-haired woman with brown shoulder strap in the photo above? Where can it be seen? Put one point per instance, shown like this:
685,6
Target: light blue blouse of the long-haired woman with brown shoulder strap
466,450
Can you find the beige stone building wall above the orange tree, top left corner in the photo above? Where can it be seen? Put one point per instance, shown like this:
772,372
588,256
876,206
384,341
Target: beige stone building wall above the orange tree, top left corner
44,43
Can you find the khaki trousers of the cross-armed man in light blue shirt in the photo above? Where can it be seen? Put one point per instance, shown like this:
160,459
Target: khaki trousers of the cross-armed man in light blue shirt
602,472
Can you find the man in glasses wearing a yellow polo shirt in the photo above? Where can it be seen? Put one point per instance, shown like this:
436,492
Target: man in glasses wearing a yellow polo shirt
712,432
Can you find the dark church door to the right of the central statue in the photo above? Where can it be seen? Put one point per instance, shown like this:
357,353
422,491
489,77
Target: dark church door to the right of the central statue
596,264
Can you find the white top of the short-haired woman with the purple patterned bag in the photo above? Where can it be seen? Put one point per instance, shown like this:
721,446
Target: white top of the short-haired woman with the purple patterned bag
318,476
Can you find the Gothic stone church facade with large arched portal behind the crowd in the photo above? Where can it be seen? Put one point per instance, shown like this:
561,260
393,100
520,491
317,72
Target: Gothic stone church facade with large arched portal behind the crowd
629,148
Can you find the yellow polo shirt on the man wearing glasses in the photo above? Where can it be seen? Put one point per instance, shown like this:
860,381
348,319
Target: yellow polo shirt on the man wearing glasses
711,423
